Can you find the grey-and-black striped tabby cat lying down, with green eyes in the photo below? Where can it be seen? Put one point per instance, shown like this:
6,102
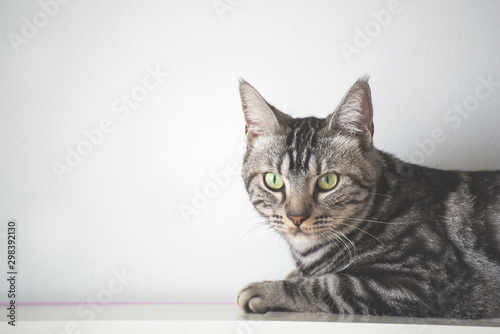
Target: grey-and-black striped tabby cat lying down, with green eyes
369,233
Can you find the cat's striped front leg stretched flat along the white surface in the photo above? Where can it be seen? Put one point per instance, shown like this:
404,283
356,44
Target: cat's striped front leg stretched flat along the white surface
333,293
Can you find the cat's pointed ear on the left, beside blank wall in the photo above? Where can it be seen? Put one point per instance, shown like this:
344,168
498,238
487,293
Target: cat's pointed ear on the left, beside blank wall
261,118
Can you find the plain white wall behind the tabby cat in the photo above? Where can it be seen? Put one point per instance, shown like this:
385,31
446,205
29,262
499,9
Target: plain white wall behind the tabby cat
119,209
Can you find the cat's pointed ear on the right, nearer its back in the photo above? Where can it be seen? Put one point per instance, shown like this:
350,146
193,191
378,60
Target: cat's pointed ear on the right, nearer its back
354,115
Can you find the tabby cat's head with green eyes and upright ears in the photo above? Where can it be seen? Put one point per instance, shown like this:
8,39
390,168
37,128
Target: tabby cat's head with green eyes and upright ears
310,176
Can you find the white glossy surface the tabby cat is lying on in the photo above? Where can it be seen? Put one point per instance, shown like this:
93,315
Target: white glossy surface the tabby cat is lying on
223,319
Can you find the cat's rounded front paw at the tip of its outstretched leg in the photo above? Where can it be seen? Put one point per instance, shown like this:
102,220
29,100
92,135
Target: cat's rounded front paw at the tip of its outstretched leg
261,297
